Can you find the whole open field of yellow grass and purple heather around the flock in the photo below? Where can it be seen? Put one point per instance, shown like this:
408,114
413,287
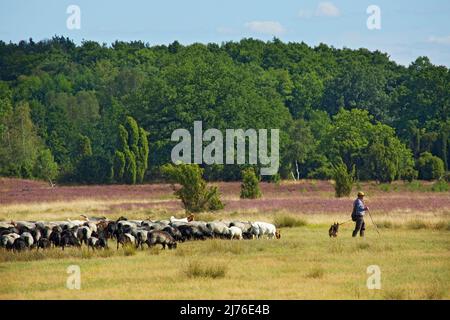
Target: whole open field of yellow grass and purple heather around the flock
413,251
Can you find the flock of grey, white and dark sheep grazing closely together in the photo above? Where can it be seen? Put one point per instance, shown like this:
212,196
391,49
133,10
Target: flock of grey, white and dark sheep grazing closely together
95,232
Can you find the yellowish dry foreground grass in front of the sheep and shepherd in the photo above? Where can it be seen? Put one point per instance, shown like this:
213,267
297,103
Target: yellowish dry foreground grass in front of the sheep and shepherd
304,264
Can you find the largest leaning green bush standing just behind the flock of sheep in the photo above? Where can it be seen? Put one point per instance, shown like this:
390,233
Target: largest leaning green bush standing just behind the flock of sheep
195,195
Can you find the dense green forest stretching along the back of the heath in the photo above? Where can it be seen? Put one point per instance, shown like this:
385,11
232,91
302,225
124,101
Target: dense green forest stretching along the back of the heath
94,113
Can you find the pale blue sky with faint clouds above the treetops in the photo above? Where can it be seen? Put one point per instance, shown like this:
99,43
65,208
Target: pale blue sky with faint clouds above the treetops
408,29
